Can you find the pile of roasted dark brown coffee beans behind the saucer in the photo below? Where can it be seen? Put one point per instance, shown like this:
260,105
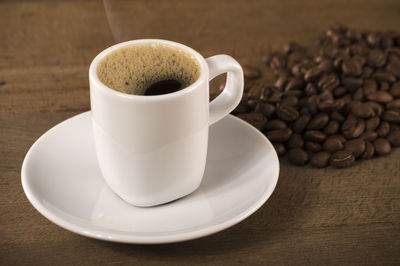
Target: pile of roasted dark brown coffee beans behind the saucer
337,106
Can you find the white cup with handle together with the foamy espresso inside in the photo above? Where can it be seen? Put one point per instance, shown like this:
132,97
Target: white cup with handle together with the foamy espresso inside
152,149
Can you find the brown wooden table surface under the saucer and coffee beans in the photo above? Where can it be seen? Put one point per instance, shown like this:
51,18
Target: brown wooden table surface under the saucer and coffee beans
328,216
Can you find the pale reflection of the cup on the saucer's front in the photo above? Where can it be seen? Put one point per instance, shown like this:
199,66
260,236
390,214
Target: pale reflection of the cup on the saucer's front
188,212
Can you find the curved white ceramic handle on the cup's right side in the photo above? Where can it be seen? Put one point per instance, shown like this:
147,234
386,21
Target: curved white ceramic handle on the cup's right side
233,91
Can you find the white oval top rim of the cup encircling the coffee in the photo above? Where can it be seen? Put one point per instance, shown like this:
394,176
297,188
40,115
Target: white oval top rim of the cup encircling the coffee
98,84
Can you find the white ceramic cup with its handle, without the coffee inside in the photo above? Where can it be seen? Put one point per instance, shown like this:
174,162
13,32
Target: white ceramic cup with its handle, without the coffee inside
153,149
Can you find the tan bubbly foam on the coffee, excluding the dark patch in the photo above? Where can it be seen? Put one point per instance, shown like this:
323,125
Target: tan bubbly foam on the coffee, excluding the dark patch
132,69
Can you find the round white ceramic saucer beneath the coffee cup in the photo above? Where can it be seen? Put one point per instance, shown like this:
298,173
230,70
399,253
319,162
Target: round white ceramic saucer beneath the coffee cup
62,180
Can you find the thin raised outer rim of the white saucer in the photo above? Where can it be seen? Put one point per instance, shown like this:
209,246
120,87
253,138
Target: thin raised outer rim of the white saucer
145,239
